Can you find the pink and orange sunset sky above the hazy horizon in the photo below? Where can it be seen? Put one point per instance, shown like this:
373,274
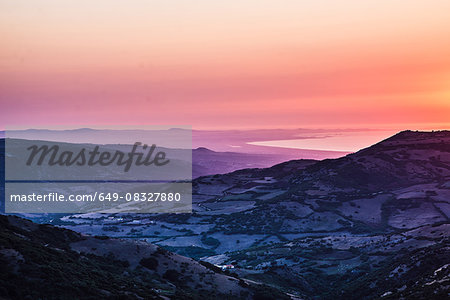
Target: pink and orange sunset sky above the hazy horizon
226,64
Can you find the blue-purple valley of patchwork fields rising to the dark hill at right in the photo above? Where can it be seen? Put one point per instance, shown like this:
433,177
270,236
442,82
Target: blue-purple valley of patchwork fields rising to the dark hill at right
373,224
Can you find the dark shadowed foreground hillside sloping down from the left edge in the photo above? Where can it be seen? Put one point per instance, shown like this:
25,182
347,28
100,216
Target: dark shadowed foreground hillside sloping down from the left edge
46,262
